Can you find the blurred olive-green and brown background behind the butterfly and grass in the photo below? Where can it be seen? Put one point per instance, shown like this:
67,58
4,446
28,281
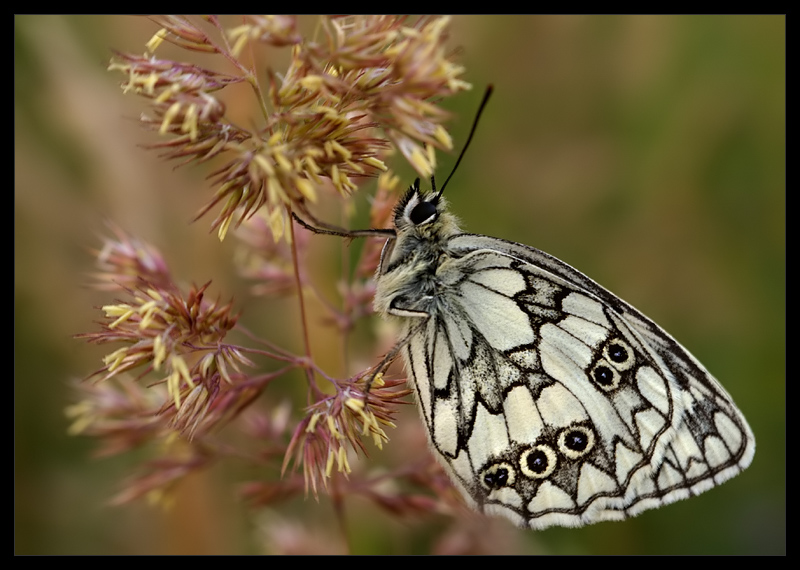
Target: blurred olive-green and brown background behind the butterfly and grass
648,152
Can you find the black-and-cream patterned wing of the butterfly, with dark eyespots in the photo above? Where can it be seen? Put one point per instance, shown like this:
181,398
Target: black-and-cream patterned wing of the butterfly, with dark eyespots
553,402
